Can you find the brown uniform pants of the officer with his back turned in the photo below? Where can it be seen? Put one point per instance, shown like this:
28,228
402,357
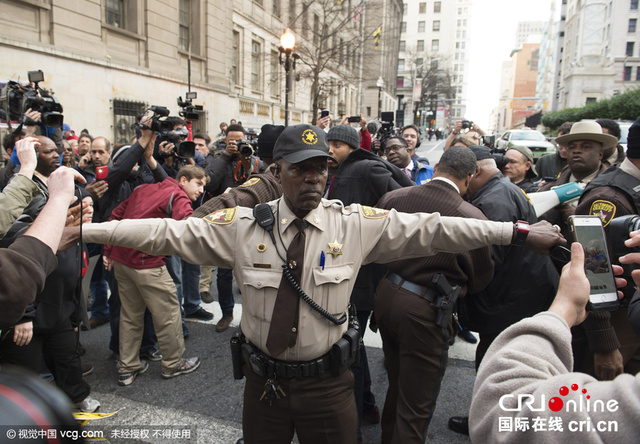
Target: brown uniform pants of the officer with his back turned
416,353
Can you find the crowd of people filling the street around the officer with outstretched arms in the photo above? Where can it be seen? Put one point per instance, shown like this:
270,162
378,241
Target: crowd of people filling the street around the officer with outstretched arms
419,252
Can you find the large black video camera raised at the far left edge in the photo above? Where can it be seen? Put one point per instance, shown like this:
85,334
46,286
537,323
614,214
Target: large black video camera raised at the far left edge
15,99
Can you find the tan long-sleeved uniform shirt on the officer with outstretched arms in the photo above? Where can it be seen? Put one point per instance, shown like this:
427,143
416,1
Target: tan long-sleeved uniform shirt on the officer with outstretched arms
350,237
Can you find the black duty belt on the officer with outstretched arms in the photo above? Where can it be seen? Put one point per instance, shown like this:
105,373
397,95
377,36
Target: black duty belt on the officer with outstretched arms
265,366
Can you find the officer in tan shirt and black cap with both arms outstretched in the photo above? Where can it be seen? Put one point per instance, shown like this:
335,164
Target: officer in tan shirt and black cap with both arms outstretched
300,387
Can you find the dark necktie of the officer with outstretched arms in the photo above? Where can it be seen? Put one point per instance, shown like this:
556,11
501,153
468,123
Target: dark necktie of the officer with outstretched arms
283,331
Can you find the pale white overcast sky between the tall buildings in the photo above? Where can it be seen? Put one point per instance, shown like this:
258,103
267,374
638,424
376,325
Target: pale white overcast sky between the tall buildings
492,33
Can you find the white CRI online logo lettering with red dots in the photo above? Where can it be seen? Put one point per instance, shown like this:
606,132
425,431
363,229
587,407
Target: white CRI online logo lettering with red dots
556,404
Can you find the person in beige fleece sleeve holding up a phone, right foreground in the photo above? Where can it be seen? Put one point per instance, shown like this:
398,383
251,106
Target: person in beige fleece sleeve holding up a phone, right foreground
534,357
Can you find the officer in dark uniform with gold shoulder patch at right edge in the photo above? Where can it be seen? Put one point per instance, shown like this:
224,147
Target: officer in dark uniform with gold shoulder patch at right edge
605,344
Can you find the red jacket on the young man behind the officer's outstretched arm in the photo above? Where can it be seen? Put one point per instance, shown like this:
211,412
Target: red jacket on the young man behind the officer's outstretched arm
146,202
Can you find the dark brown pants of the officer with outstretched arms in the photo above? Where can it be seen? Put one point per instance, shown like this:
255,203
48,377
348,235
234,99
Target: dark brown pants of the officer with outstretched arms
321,410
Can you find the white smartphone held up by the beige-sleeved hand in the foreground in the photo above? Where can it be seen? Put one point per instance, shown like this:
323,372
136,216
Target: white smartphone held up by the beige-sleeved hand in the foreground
588,231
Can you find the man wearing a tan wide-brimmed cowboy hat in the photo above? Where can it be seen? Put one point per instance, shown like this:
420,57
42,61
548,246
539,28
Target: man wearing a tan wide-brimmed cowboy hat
585,145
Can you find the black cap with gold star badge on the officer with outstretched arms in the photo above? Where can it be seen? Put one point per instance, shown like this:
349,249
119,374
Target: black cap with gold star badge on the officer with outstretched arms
298,143
